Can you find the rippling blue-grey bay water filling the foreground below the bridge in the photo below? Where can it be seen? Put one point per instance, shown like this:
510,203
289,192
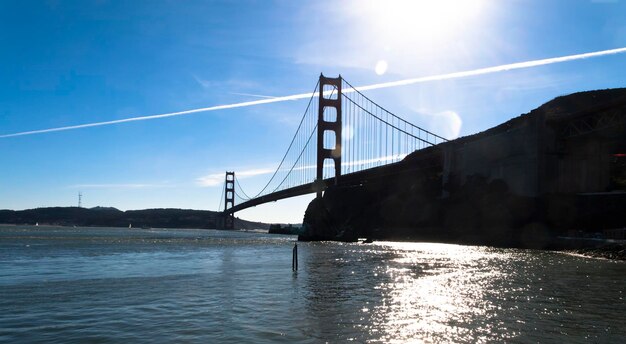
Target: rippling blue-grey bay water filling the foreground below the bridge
109,285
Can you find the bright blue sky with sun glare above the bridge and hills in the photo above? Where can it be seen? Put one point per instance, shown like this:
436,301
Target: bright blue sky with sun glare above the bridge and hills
65,63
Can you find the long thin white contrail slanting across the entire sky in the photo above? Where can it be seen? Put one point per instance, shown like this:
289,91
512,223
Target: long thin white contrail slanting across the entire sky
455,75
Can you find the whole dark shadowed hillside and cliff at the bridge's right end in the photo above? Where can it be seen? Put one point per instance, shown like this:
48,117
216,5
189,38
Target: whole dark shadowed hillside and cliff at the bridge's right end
519,184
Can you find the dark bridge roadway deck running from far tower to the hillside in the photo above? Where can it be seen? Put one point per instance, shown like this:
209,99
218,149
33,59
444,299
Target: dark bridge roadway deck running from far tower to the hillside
412,163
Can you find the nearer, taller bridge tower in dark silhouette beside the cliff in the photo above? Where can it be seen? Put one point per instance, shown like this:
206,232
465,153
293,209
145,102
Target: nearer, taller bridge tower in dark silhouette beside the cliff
329,98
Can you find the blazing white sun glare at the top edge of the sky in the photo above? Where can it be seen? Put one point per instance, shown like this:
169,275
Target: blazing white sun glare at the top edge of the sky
405,28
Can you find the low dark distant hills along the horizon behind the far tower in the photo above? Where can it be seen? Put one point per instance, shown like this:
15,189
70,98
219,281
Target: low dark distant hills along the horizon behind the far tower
112,217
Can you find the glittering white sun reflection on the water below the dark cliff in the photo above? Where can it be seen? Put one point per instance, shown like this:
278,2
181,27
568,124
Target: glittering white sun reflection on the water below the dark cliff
433,289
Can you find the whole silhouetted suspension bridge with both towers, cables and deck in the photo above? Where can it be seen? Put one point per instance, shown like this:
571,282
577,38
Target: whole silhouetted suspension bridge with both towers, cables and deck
343,138
